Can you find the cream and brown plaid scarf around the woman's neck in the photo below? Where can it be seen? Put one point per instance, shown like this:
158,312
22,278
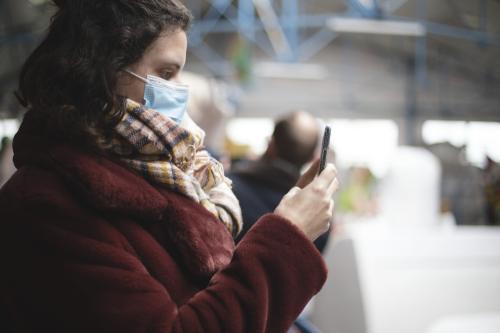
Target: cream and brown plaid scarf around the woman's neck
172,156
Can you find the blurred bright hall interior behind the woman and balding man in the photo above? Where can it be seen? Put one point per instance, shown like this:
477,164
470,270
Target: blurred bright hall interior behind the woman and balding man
411,90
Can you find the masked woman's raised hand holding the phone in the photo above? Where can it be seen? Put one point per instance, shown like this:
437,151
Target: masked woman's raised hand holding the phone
311,208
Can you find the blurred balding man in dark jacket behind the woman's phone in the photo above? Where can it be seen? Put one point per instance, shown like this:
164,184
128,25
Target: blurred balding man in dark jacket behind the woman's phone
259,185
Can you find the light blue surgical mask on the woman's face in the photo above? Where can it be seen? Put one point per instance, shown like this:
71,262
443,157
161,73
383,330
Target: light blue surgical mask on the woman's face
166,97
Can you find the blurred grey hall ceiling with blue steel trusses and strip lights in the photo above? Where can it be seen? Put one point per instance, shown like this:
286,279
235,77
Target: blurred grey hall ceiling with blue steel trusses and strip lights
444,63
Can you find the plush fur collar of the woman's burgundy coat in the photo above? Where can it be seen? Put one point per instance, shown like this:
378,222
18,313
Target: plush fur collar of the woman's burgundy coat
199,242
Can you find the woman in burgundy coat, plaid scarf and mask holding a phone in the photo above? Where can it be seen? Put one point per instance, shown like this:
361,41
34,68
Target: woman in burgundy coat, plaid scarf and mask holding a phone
117,220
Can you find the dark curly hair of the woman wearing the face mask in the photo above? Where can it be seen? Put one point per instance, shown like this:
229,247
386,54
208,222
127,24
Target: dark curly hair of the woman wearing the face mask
70,79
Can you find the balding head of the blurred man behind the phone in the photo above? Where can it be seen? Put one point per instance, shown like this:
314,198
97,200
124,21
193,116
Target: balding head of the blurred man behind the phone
295,138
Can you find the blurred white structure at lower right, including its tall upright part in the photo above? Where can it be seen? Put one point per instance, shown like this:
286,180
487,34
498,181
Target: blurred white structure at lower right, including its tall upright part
404,272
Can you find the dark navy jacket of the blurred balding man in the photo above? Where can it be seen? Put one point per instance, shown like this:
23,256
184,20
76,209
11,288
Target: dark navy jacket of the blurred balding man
260,185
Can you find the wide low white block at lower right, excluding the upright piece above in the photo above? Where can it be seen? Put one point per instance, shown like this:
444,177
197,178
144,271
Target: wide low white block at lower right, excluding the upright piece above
385,281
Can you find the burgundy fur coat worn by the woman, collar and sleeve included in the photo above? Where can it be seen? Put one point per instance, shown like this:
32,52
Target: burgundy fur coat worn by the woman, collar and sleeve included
88,246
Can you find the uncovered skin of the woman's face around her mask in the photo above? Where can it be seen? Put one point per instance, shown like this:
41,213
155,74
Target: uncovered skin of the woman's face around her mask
165,58
